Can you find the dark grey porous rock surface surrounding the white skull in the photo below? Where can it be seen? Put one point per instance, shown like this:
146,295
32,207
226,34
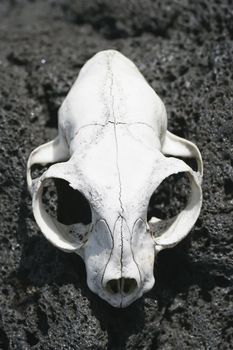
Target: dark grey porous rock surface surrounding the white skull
185,50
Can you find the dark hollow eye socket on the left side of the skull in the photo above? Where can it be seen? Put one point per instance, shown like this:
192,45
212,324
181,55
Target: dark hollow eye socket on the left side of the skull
67,205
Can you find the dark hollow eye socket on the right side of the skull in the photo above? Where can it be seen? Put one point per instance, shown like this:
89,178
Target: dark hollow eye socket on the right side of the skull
170,198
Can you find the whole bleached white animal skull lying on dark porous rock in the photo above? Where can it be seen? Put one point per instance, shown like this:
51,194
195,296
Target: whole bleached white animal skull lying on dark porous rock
111,147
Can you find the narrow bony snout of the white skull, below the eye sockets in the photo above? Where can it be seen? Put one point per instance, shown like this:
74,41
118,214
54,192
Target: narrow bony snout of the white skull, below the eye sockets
122,270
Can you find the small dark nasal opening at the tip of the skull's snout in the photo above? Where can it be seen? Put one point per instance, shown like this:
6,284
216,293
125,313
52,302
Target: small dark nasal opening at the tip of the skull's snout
122,286
